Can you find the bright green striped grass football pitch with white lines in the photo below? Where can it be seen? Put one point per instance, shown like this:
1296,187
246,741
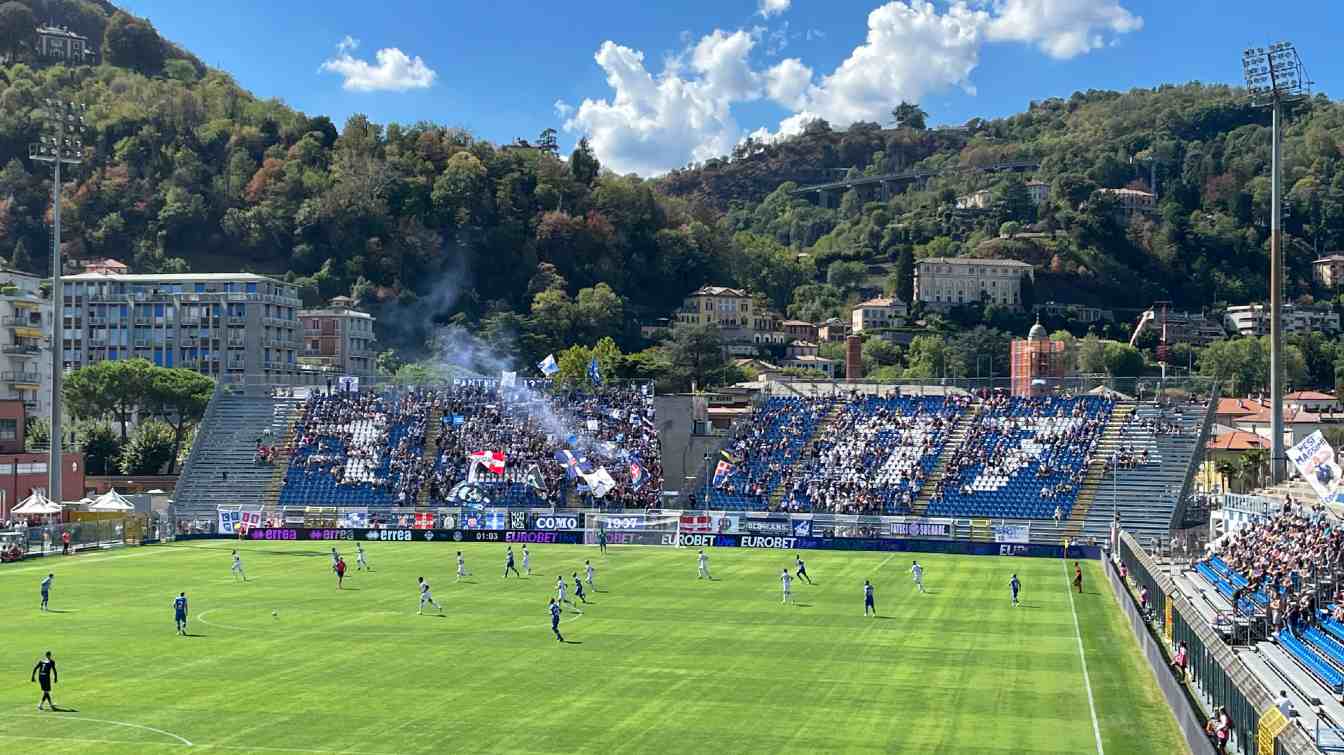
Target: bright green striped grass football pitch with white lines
659,662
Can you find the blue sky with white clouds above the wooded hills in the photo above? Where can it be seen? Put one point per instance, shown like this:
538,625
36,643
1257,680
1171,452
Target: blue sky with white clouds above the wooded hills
714,72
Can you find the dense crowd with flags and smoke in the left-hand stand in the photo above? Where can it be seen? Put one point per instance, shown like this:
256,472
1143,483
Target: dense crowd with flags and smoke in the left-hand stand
385,444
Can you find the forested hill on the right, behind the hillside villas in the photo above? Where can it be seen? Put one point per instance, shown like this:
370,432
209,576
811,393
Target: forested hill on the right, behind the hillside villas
1206,147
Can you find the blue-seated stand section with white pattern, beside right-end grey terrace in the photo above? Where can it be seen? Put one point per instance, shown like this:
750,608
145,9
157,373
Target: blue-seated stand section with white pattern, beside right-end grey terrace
1022,457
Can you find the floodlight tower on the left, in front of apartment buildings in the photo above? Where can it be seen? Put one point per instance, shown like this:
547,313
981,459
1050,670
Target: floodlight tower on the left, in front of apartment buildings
61,144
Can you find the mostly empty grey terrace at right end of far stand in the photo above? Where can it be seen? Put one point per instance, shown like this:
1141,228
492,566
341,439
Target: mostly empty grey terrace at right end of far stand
1147,496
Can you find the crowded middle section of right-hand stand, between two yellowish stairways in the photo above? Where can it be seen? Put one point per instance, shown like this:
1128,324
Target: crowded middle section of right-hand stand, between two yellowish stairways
874,459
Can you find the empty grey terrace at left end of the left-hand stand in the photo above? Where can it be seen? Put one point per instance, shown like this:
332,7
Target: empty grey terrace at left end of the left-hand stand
221,468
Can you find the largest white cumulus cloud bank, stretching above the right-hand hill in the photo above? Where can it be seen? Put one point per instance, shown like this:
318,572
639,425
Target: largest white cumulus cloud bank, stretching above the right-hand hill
913,49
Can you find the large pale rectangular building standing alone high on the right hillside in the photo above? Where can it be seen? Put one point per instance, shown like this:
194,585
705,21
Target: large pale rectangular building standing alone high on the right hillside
943,283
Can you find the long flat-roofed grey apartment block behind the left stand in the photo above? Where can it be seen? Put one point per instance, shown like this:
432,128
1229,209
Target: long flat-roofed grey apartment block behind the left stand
213,323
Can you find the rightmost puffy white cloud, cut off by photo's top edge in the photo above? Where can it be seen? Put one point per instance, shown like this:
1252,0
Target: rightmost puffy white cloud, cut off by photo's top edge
1061,29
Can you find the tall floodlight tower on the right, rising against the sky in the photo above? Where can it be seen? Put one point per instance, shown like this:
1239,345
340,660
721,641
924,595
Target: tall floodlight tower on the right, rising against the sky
1276,76
